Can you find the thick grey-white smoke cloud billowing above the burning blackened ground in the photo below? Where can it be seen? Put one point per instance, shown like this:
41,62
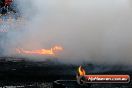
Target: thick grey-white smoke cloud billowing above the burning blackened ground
89,30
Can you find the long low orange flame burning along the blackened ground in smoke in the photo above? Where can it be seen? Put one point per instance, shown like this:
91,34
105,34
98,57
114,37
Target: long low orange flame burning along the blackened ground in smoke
51,51
